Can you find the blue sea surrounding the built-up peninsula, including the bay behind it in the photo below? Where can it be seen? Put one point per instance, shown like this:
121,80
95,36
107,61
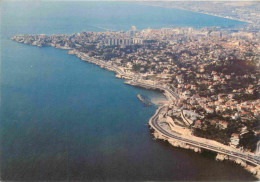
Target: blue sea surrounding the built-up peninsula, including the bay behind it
63,119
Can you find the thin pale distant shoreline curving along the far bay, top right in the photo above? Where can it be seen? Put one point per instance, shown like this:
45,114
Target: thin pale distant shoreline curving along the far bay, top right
205,13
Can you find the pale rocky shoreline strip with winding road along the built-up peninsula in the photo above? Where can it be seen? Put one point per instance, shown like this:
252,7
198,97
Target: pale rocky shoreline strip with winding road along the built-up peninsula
170,96
